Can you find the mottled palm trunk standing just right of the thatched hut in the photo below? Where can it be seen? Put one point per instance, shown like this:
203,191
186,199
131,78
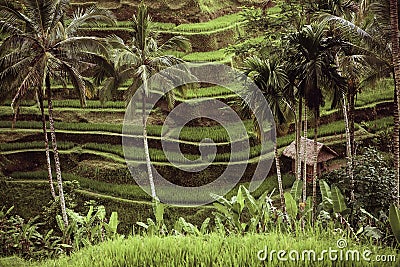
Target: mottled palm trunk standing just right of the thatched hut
349,151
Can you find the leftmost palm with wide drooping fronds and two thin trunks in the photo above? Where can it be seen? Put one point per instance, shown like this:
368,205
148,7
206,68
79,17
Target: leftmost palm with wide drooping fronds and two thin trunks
40,47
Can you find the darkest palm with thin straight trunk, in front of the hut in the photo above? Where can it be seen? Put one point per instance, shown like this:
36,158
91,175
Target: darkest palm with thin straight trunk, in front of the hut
316,61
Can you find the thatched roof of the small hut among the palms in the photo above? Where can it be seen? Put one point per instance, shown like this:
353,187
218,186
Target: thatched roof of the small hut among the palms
324,153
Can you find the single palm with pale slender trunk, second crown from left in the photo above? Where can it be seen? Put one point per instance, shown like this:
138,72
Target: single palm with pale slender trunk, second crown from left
138,61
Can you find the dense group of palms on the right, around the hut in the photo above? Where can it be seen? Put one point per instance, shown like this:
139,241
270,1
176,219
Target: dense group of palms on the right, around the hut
345,47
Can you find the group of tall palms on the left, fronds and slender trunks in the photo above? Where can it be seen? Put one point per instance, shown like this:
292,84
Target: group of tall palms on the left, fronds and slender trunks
39,48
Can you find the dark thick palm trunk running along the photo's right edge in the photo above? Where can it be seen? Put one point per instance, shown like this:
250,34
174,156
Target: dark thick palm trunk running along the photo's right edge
396,64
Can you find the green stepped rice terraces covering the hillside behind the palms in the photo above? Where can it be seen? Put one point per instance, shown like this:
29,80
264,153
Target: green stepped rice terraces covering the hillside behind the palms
90,138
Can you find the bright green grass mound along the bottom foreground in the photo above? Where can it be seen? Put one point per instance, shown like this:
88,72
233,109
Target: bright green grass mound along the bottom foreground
219,250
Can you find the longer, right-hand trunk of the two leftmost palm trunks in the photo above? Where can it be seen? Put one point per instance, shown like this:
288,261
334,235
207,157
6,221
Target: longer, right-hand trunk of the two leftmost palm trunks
55,152
